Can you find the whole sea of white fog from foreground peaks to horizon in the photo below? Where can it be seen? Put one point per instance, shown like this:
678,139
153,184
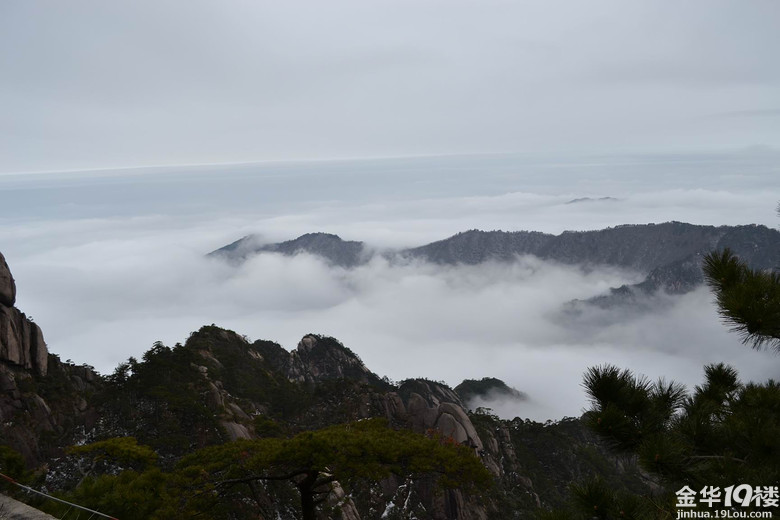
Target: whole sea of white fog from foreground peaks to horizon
107,262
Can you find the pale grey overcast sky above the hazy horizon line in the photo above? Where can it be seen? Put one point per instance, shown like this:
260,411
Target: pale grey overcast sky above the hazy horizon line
92,84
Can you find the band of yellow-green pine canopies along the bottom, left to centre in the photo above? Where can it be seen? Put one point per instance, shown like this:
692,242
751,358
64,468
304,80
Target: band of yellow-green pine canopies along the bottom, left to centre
231,480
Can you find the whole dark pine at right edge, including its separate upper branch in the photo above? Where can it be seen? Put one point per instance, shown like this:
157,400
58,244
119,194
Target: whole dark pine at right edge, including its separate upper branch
722,434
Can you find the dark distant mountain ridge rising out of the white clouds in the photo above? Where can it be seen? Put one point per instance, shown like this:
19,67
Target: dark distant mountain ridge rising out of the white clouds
668,254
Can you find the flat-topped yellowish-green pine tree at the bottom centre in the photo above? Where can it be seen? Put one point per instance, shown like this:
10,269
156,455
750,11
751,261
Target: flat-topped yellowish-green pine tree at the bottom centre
313,461
